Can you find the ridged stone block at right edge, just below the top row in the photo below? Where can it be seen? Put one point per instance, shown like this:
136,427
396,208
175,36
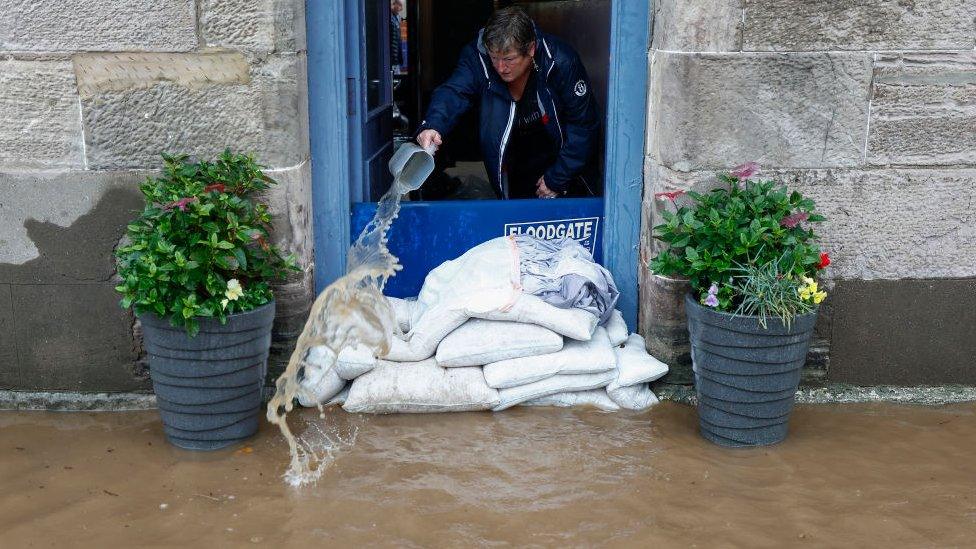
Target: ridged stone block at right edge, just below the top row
923,109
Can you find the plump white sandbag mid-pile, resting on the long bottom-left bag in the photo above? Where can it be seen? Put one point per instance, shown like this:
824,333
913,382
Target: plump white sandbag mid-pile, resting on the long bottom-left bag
478,342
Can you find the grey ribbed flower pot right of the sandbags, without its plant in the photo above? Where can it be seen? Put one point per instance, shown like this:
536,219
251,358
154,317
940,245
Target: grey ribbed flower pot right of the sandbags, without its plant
746,376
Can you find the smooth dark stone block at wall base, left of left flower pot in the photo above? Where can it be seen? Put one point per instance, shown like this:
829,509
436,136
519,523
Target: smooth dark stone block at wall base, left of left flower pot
73,337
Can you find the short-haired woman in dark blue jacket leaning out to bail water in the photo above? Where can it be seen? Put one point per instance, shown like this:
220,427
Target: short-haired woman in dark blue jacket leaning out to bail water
539,125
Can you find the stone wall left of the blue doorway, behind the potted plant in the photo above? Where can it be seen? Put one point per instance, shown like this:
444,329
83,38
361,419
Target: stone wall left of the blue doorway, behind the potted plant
90,94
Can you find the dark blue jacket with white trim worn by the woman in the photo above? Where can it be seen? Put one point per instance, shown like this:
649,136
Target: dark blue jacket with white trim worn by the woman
564,95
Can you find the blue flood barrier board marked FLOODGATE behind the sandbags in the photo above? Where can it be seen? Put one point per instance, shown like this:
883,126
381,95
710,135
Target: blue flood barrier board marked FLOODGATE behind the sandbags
426,234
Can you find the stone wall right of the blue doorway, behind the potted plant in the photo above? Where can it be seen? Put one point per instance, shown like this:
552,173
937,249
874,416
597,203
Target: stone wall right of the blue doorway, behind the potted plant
867,106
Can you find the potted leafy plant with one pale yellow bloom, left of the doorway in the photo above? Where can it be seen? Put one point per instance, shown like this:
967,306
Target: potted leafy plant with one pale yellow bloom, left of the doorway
196,268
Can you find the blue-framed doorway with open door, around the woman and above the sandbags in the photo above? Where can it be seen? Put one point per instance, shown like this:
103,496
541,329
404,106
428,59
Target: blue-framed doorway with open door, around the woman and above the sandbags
350,144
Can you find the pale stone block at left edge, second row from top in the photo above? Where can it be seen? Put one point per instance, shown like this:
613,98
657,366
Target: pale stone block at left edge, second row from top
40,124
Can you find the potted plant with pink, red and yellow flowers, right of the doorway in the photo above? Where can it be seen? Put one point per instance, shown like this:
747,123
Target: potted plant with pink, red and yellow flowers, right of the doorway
750,253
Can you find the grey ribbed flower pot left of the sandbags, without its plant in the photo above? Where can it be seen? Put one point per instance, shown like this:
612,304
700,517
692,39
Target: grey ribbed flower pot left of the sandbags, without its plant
208,388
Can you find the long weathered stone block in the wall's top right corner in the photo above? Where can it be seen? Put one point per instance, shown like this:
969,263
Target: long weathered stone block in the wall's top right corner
805,25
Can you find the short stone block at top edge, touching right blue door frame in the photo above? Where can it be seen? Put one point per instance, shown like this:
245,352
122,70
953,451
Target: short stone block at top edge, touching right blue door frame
714,25
